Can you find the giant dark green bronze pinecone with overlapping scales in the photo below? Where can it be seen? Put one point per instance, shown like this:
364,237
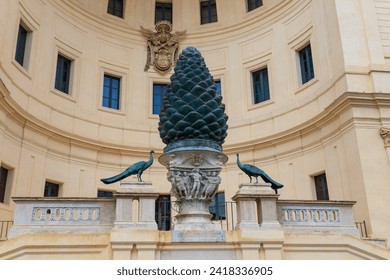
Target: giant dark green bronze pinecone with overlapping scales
192,109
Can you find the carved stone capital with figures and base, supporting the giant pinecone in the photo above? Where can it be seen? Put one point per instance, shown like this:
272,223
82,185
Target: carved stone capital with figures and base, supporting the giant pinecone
194,175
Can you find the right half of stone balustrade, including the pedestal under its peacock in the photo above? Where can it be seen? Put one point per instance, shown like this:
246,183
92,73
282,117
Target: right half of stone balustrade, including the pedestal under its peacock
258,207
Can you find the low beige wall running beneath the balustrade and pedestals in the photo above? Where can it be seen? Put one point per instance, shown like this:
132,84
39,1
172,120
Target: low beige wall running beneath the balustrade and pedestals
103,247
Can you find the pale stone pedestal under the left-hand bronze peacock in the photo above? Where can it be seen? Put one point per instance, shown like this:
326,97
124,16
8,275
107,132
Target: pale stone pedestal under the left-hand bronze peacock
146,196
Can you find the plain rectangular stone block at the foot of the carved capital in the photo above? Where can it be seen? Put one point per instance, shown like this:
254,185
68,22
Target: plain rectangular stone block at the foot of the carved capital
198,236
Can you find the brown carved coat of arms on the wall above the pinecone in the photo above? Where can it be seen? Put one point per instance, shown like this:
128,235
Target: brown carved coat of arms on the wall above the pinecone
163,46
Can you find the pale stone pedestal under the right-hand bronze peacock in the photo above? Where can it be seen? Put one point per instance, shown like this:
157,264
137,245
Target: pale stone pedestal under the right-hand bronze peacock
256,207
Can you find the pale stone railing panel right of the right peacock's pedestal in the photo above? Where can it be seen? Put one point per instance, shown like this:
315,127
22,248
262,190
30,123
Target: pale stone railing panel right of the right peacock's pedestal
317,216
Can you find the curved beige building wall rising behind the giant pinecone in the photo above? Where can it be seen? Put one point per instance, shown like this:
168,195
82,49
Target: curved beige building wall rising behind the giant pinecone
329,124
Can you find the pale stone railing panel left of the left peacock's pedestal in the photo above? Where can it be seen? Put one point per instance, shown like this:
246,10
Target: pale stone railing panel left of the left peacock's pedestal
84,215
